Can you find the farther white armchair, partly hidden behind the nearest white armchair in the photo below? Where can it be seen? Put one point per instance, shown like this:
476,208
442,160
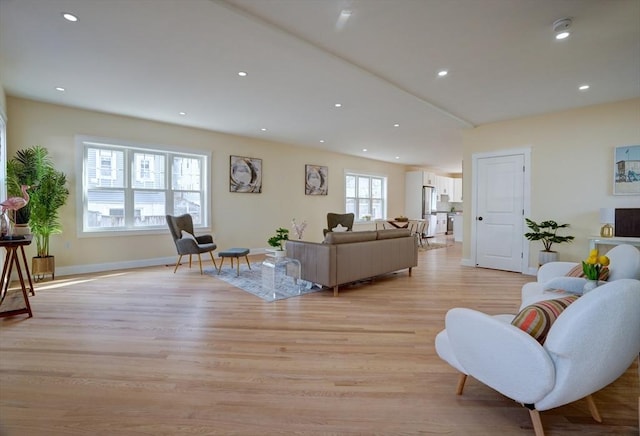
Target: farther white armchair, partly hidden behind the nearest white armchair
624,264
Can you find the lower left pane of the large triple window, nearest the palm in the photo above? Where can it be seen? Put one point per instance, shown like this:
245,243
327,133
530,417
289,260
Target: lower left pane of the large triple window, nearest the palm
105,208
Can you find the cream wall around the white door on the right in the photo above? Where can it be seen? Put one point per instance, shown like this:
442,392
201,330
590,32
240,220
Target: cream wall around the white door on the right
572,167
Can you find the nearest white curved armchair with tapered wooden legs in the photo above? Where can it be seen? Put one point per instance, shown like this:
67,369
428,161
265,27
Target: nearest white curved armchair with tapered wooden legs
589,346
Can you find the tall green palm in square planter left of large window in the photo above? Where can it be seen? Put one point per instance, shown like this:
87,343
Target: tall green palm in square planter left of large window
48,192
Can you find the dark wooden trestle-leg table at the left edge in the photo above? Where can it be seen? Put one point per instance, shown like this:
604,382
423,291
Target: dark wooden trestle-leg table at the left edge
10,304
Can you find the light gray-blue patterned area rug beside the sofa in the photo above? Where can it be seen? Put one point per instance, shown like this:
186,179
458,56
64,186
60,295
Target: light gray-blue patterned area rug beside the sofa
250,280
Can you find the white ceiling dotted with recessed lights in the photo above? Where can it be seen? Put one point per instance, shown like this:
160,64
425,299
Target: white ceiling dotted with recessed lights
153,59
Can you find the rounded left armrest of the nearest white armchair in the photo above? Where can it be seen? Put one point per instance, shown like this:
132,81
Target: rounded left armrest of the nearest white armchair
500,355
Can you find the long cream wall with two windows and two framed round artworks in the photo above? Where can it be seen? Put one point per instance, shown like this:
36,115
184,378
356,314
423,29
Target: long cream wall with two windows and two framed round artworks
238,219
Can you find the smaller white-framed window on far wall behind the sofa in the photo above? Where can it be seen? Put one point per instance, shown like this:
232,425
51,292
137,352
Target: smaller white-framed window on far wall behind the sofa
366,196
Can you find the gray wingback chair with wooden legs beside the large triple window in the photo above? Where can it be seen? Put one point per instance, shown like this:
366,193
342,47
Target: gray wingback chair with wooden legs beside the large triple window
188,243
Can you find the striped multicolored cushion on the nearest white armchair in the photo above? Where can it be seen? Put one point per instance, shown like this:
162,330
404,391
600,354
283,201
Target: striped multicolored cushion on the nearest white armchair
537,319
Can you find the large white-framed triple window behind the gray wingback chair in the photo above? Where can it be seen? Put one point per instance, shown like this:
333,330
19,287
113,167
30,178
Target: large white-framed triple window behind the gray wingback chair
132,188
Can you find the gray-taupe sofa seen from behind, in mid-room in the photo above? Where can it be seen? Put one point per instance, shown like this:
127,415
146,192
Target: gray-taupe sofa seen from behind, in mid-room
346,257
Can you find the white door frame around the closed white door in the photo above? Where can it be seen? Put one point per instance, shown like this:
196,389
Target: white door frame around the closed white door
475,157
